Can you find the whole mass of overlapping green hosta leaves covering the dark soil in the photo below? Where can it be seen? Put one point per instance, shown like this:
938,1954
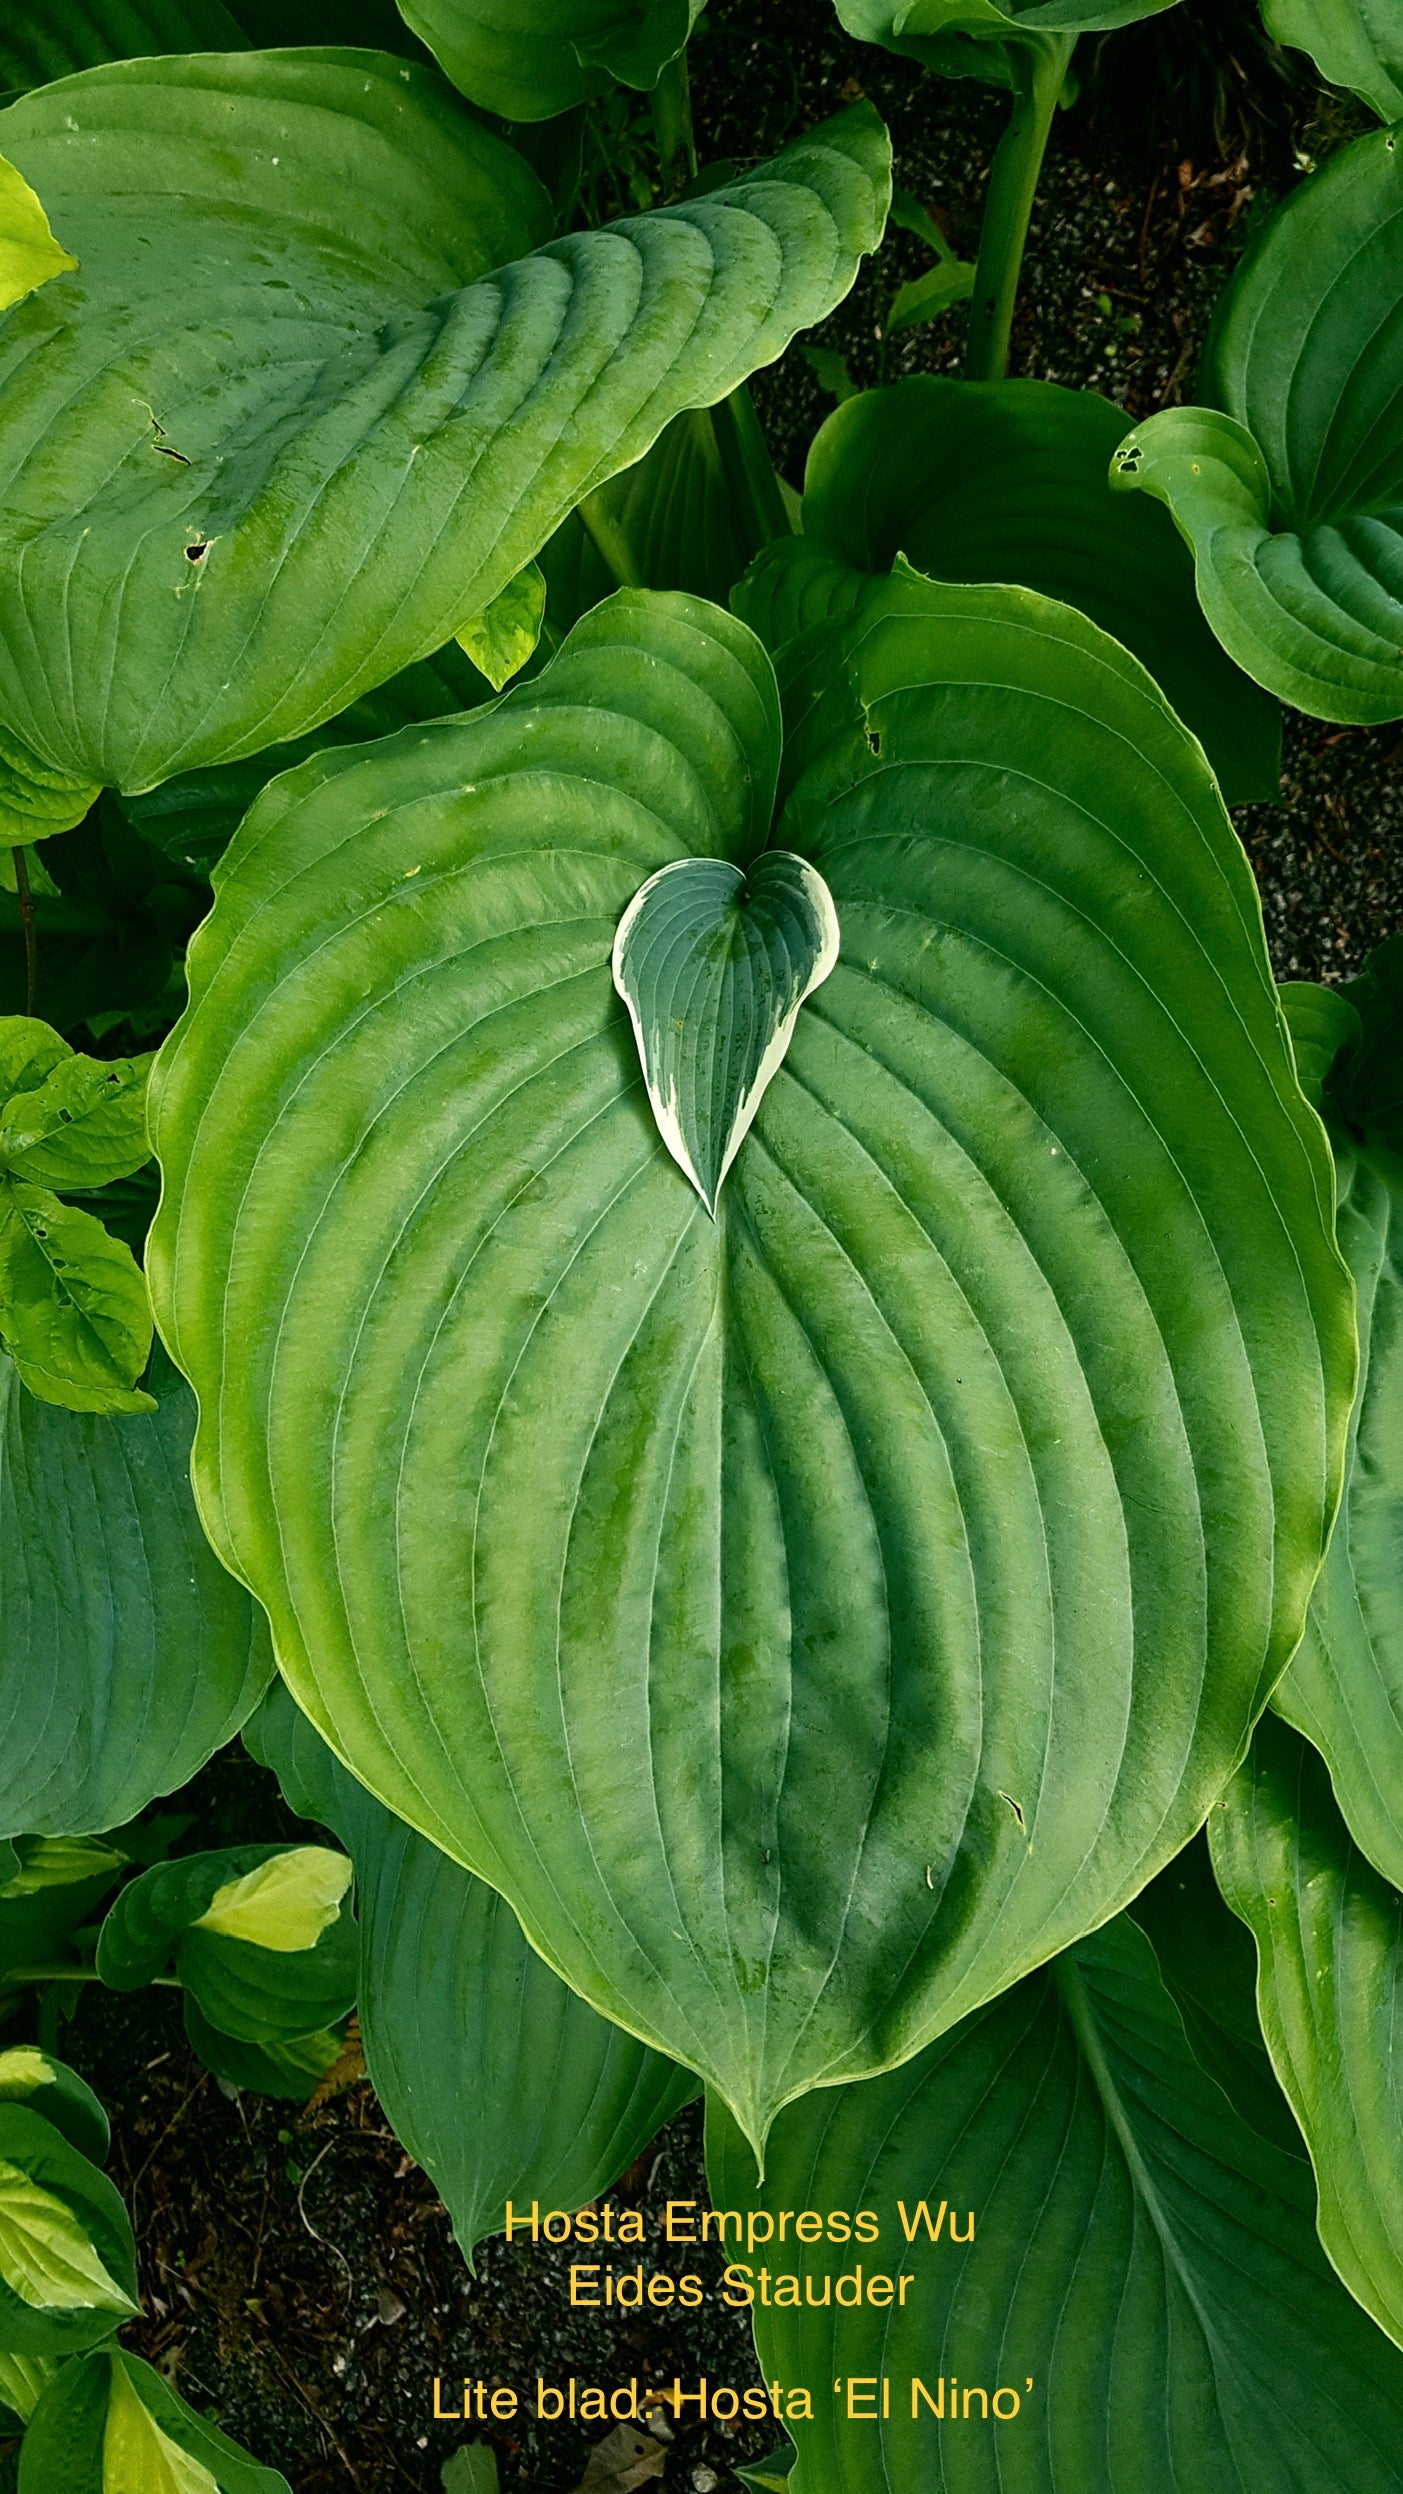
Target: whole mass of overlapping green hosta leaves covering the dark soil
781,1360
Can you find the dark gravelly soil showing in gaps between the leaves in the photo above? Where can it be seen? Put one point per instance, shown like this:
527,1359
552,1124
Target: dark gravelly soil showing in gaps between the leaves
300,2273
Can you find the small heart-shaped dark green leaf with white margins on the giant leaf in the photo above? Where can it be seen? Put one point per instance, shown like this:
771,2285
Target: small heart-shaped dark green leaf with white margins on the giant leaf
714,966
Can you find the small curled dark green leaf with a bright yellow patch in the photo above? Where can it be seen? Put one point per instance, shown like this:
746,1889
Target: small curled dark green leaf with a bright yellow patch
243,1986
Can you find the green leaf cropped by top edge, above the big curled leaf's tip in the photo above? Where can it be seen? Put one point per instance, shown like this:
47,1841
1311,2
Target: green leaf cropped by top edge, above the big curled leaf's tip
532,59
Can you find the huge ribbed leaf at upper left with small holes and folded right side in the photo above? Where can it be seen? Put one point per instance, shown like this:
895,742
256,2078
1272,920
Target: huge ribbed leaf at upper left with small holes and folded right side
283,433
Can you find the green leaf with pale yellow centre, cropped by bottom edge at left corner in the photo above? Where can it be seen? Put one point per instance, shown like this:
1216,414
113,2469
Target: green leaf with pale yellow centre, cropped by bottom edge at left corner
111,2425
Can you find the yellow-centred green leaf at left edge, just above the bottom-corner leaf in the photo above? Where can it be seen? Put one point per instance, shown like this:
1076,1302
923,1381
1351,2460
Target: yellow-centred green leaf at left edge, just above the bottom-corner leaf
69,2263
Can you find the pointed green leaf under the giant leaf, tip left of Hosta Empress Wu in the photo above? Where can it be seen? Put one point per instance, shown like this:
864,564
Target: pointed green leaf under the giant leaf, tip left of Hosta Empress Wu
497,2079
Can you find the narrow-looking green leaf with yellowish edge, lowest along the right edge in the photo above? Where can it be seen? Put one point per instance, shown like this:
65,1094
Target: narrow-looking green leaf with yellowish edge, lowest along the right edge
1329,1939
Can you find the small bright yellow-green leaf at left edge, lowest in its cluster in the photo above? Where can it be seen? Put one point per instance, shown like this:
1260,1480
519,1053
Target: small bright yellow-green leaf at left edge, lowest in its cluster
74,1306
